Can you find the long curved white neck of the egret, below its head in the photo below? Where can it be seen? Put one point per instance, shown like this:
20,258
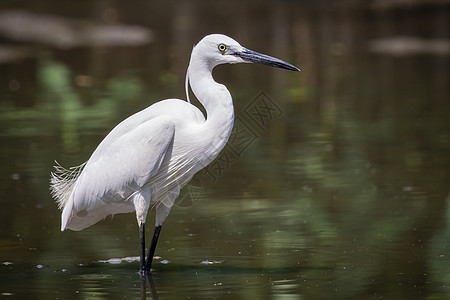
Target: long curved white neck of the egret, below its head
217,101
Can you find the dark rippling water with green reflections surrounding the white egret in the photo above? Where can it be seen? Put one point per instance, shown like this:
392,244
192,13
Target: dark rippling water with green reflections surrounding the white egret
334,184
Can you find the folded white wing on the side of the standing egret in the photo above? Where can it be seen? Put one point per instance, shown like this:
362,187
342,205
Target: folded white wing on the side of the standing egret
123,164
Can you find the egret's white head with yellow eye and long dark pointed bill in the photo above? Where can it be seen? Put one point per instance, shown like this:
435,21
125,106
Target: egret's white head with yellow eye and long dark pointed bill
216,49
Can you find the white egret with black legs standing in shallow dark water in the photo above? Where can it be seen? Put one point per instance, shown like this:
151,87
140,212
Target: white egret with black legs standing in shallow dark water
145,160
